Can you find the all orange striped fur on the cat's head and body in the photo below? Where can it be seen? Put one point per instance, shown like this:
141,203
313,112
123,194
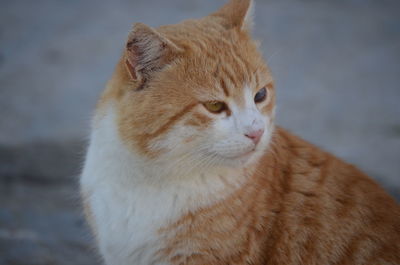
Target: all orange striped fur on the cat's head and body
295,205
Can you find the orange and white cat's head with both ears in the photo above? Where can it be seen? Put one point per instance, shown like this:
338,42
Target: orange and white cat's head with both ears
196,93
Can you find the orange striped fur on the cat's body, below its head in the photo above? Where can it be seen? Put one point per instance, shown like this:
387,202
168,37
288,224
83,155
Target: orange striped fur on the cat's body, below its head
302,206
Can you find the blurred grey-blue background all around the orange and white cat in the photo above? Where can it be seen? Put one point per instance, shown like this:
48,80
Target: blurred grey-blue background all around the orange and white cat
336,64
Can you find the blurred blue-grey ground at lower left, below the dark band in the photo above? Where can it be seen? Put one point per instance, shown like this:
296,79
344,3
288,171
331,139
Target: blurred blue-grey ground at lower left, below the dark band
42,225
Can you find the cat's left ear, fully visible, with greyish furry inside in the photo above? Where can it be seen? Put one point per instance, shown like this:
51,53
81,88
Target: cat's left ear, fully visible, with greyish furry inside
147,51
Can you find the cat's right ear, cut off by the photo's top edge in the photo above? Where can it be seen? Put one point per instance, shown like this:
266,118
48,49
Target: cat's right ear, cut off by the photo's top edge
237,14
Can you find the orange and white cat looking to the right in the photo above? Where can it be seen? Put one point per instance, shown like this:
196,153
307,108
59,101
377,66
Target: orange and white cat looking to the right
186,166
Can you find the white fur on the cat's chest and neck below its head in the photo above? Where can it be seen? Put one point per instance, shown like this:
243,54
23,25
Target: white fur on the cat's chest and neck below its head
128,211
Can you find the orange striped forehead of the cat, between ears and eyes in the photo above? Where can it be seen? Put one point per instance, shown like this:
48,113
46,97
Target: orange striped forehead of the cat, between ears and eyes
220,63
